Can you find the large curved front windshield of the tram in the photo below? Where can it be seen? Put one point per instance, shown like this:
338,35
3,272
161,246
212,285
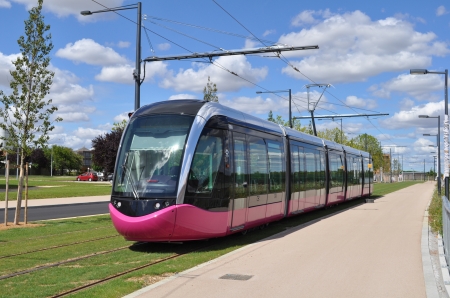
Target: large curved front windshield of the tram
149,160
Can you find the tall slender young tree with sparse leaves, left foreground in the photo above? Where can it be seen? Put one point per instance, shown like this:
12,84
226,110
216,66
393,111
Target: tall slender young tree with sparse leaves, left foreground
25,112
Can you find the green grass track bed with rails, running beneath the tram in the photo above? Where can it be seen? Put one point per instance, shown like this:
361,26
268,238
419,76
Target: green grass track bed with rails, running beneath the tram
54,280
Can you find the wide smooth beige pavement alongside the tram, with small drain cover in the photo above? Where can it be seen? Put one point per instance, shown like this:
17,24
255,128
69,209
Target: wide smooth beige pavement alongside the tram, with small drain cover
372,250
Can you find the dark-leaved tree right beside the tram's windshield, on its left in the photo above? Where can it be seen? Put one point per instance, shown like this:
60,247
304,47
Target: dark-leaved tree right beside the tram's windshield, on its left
105,149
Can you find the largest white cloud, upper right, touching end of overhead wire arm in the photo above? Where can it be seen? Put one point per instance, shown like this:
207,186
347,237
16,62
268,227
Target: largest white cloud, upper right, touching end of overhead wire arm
353,47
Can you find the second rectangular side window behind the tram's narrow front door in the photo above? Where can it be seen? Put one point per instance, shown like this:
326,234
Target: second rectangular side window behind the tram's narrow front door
276,166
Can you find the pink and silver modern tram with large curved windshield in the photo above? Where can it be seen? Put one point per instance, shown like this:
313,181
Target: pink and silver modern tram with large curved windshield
190,169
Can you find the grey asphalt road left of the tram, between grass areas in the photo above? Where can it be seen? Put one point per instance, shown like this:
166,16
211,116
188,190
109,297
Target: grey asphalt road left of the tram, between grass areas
57,211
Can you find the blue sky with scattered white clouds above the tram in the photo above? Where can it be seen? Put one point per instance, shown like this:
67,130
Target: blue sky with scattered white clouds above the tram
366,50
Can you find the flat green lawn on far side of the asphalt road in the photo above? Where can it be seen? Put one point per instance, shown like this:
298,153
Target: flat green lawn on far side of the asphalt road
44,187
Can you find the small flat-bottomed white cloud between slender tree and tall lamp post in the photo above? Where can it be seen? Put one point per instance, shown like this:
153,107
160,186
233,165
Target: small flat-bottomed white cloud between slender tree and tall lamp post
90,52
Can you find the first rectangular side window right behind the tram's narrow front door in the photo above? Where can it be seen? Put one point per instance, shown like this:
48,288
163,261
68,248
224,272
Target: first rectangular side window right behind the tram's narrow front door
258,166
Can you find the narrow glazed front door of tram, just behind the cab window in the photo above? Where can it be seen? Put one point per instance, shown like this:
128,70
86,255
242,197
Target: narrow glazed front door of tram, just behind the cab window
240,174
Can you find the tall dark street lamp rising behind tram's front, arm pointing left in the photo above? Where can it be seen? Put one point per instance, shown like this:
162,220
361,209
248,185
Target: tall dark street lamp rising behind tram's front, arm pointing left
137,70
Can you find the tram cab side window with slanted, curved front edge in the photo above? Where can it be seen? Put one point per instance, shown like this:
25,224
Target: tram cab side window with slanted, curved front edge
205,173
